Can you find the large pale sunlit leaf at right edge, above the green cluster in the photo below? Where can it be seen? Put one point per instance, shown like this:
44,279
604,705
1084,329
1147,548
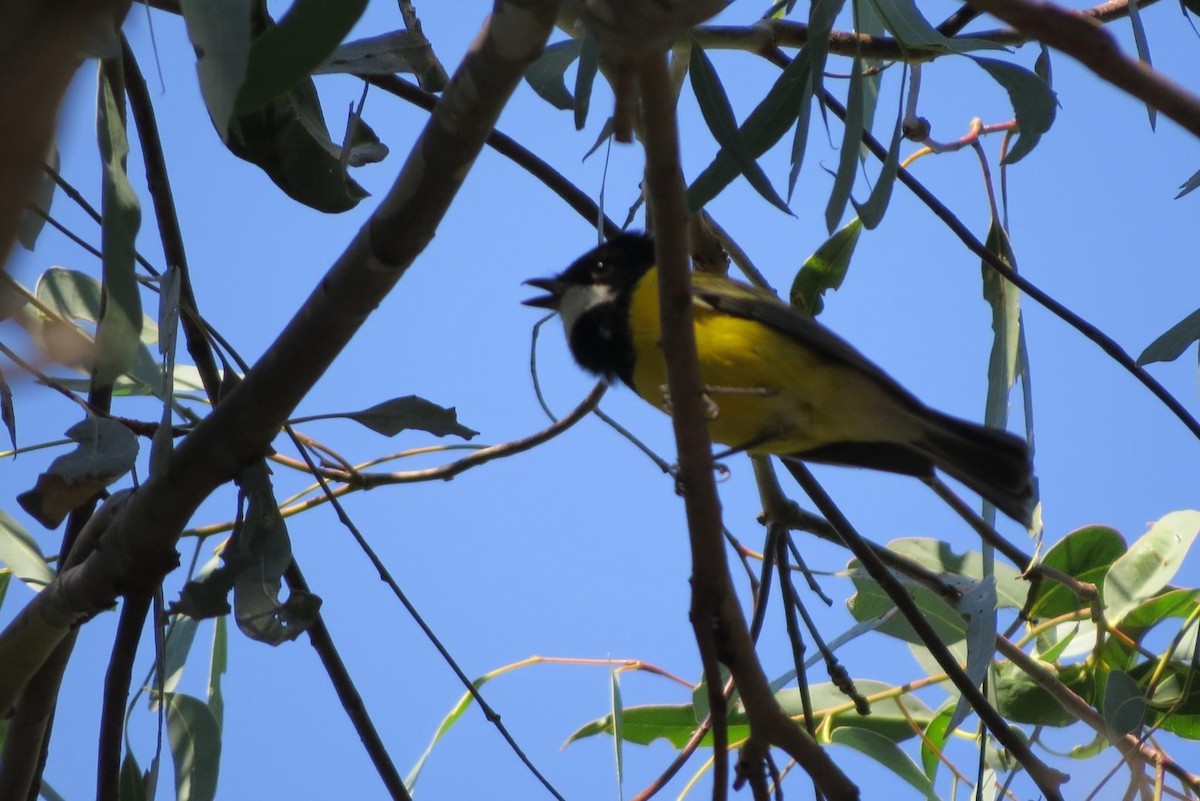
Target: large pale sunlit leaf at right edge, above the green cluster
1150,564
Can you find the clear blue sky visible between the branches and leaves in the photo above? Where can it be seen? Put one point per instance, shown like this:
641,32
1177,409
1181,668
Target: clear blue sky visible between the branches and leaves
579,549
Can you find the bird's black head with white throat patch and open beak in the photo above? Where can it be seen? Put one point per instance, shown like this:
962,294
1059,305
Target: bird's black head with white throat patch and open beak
592,297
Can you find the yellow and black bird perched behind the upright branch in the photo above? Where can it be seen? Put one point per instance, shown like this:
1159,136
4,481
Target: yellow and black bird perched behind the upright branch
776,381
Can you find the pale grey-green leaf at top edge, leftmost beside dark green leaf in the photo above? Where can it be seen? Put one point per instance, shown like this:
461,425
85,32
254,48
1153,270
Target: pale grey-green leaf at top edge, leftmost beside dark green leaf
220,35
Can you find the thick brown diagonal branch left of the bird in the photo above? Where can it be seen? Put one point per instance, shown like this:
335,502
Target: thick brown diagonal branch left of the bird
140,547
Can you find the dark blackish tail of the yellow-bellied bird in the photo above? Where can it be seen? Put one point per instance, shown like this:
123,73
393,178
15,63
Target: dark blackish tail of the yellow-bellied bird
992,462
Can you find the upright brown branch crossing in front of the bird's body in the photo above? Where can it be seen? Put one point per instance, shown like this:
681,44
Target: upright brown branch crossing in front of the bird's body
716,613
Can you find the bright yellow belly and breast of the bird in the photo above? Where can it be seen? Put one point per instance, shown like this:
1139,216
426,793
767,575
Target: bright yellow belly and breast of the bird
766,392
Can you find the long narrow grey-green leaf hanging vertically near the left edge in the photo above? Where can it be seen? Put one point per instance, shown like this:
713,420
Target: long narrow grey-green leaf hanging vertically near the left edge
119,334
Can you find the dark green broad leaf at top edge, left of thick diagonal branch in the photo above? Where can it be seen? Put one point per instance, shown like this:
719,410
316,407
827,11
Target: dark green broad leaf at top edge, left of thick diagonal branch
287,53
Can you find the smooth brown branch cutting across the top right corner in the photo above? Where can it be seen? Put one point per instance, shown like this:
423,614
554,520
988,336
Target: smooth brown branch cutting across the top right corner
1085,41
